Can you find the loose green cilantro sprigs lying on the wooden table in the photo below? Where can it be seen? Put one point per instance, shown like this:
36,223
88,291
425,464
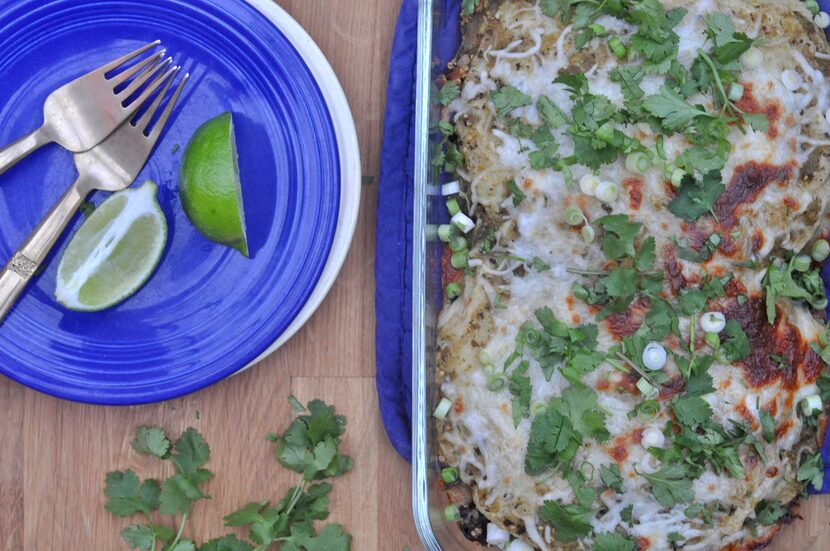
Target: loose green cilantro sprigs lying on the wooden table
310,446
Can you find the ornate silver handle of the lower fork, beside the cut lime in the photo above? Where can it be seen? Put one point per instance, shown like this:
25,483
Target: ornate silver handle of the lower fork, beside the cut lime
31,255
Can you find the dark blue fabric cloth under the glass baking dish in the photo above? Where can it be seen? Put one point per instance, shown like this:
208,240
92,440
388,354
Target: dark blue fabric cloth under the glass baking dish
393,269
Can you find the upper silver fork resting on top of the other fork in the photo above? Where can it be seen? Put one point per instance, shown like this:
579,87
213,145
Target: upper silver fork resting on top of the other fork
79,115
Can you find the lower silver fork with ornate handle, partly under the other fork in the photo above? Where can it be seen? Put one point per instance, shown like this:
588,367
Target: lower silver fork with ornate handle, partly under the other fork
111,166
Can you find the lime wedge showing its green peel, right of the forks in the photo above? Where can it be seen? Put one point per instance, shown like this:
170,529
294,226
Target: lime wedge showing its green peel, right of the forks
209,185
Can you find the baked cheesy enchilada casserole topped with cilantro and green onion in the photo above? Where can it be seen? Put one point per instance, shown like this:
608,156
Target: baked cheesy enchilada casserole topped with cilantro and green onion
632,352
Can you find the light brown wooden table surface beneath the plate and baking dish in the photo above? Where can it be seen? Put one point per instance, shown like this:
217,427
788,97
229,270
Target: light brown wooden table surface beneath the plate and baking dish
54,454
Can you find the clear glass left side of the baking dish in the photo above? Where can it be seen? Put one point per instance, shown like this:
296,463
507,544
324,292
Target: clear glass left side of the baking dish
438,42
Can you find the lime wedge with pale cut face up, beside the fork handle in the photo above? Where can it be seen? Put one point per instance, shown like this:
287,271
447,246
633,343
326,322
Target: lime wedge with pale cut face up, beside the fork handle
114,252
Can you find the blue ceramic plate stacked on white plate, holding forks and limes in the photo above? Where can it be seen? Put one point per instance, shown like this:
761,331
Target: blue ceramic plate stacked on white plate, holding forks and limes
207,312
